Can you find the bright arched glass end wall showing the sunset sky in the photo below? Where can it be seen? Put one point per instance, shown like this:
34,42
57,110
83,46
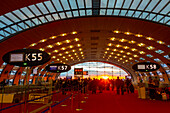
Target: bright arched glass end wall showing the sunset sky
97,70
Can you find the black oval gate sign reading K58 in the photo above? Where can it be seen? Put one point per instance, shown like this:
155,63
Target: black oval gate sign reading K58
146,67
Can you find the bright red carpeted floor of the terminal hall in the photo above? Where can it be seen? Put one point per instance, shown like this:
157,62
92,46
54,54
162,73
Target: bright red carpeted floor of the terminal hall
106,102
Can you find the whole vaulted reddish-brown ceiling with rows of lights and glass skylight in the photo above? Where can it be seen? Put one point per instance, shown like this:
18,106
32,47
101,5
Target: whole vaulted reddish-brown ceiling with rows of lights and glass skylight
95,35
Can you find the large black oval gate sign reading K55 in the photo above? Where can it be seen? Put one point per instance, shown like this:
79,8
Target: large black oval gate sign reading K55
26,57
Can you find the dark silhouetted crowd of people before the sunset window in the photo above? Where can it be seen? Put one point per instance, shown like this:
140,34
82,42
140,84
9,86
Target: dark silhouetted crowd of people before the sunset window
118,85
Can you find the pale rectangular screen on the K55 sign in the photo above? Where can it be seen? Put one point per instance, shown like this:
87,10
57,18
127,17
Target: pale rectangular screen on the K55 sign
19,57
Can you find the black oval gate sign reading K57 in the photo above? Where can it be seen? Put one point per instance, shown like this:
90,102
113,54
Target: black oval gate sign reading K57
58,68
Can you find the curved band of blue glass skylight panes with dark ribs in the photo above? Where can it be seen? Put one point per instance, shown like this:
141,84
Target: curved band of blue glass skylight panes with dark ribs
28,17
